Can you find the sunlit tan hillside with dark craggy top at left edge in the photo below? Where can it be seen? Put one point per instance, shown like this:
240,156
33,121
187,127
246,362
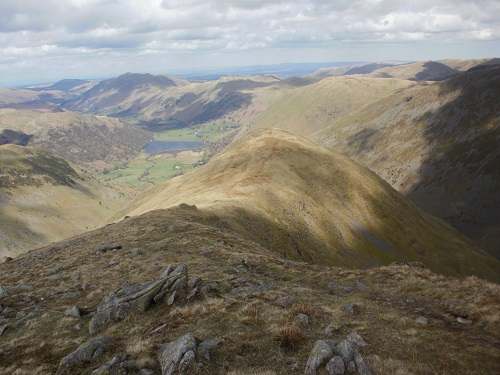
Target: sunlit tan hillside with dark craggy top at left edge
44,199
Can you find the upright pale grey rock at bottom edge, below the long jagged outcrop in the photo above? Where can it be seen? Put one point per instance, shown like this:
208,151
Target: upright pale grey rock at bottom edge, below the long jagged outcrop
177,355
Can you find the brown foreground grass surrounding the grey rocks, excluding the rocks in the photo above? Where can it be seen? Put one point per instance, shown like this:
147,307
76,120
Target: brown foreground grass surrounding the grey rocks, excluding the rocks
252,326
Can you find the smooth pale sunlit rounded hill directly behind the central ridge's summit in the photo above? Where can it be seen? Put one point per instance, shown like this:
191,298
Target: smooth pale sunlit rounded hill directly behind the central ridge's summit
307,109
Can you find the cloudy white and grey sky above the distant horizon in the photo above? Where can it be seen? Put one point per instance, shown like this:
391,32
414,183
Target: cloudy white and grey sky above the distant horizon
43,41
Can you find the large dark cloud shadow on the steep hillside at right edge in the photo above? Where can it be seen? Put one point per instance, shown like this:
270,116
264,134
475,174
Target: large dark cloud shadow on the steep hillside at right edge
459,179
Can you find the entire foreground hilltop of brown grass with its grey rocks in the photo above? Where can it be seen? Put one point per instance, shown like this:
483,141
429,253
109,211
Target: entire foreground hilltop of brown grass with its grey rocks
109,303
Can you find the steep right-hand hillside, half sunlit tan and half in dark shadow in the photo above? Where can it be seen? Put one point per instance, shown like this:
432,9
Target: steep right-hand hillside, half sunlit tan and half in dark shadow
436,144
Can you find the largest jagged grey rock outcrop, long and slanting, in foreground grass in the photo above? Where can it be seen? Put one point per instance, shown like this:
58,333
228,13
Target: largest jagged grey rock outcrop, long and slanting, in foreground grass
116,305
